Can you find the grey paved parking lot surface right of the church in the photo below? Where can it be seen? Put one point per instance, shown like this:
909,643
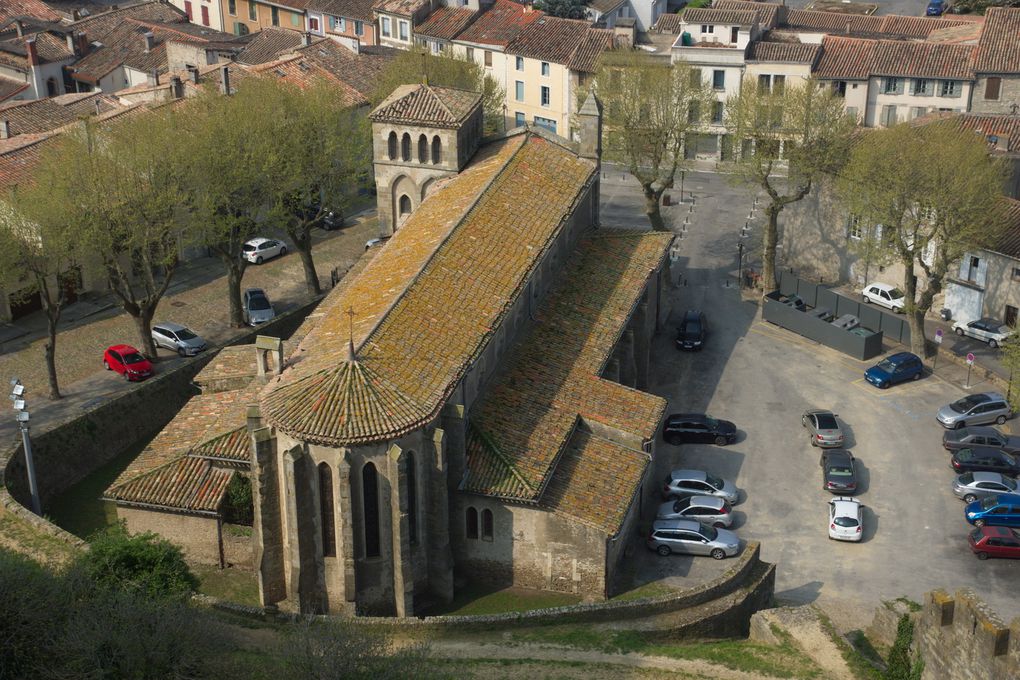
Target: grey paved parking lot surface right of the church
763,378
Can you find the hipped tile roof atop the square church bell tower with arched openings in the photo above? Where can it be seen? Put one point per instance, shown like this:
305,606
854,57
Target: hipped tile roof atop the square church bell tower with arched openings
425,104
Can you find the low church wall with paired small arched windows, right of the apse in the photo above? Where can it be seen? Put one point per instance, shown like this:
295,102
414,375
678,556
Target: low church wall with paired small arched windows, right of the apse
528,548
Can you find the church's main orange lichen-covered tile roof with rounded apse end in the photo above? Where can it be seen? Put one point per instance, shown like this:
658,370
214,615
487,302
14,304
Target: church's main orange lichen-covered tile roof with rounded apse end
427,305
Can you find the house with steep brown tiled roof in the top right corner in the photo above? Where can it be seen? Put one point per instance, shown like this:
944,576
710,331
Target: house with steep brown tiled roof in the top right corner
998,66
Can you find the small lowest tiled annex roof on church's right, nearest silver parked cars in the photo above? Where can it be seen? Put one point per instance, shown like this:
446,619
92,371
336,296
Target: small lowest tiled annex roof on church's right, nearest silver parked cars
596,482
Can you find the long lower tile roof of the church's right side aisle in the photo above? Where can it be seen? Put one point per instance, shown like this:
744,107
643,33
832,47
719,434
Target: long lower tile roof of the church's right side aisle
552,385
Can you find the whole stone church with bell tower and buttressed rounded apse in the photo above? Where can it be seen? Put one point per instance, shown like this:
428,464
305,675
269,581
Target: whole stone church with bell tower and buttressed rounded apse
466,405
